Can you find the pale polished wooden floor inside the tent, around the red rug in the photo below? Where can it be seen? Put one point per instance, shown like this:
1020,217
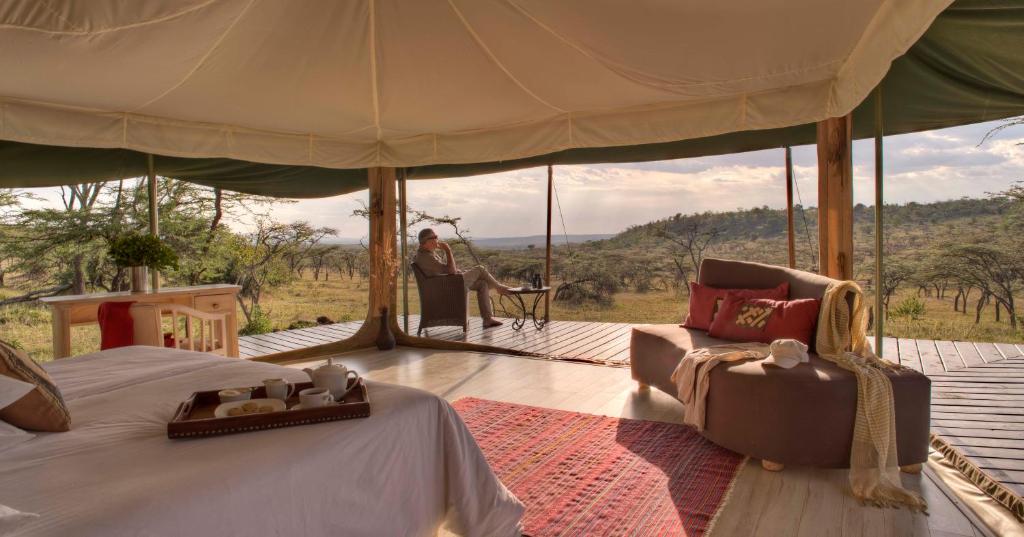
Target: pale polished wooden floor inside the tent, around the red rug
796,502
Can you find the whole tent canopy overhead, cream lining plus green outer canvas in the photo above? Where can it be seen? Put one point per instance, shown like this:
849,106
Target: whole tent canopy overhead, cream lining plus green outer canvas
294,102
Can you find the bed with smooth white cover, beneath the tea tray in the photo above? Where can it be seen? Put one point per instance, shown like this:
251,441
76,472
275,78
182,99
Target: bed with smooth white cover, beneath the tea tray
410,469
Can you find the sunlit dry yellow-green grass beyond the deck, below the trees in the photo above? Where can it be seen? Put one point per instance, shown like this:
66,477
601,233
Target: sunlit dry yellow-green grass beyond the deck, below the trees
344,300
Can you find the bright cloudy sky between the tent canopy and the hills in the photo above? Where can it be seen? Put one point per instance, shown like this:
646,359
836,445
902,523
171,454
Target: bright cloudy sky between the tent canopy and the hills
608,198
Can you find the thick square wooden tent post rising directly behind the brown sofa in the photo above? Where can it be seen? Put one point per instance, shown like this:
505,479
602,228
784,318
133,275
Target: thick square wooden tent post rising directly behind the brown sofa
836,198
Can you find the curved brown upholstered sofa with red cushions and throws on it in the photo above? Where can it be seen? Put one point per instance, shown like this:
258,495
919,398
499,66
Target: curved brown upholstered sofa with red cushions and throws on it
803,416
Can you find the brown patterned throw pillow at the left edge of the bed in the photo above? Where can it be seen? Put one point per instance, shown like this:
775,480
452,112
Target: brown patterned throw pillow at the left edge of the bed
41,409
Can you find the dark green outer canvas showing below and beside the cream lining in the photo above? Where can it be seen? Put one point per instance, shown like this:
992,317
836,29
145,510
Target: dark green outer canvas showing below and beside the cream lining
968,68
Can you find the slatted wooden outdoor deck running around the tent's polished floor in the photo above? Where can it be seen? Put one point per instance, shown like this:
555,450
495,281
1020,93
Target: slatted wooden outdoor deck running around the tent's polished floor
977,389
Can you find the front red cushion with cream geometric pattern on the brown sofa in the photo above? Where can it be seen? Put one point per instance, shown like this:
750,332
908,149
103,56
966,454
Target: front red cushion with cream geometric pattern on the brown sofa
742,319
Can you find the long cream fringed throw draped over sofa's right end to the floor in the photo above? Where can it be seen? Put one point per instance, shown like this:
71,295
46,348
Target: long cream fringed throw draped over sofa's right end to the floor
874,470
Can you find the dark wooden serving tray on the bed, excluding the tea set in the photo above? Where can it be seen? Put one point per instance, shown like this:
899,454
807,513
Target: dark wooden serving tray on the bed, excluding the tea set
195,417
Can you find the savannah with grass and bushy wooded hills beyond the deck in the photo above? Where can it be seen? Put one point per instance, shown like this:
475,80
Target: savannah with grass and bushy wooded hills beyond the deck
639,276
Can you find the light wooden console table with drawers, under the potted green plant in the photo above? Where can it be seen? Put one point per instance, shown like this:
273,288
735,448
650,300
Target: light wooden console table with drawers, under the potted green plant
81,310
